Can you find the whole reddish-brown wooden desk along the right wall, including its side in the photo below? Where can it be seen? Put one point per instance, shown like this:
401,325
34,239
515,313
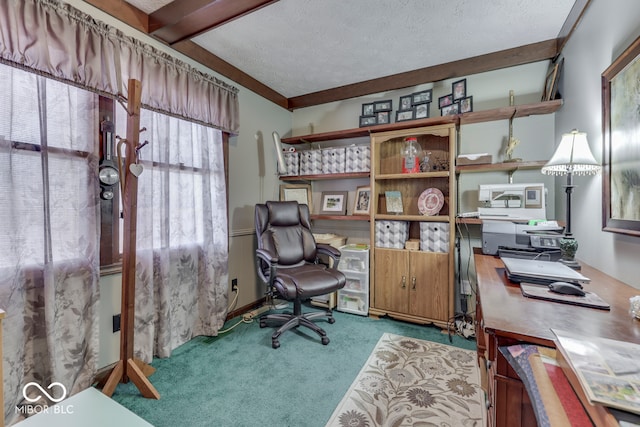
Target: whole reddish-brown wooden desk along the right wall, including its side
505,317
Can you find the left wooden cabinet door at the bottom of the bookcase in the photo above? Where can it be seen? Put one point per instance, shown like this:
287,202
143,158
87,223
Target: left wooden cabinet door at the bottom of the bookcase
391,267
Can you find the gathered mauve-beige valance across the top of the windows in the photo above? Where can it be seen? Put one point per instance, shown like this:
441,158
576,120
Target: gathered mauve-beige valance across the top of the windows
62,42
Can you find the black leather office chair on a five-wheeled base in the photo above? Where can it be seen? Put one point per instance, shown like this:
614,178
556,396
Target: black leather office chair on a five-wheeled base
287,259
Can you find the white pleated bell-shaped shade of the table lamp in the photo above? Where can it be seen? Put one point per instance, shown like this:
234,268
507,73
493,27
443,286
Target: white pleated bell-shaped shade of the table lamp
573,155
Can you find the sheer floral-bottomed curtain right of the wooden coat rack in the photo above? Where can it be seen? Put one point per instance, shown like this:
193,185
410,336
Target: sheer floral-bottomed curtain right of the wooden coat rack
182,237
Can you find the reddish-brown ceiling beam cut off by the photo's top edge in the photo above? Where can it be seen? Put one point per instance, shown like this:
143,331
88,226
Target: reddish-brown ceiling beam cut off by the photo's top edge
181,20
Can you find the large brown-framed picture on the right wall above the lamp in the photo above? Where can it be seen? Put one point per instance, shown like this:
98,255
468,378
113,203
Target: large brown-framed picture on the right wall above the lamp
621,148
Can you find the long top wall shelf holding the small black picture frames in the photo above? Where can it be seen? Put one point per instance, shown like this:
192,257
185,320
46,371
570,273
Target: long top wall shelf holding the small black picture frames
502,113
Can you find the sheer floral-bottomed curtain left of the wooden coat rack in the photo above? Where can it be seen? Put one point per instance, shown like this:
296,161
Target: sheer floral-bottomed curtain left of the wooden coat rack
49,263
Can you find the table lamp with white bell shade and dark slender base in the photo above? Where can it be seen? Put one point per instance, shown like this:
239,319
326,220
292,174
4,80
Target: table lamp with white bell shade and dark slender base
572,156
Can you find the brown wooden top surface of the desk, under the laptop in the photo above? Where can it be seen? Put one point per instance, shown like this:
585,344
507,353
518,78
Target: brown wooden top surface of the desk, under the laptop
507,313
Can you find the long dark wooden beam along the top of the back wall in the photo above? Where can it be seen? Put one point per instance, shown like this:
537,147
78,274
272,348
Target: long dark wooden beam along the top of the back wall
478,64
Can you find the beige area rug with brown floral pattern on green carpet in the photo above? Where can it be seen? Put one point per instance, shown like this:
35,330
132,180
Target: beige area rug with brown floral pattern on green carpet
411,382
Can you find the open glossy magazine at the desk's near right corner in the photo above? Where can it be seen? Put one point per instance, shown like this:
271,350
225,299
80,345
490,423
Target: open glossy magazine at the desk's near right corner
608,370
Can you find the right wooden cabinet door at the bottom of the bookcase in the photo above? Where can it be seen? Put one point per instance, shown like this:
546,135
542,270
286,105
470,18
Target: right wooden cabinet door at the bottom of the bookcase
429,285
